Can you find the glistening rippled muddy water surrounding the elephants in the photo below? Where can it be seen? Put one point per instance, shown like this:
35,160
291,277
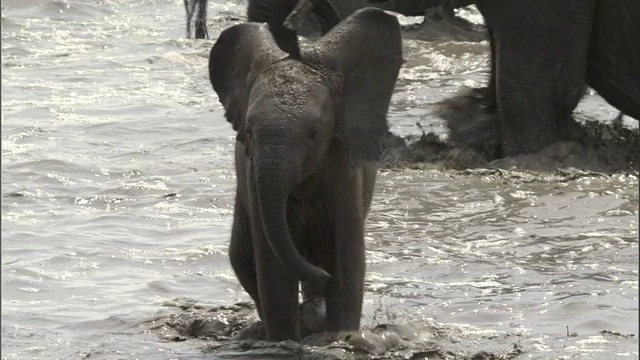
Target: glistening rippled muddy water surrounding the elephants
117,192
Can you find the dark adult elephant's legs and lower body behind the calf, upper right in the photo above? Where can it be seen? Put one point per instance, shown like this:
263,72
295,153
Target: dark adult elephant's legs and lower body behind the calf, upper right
545,53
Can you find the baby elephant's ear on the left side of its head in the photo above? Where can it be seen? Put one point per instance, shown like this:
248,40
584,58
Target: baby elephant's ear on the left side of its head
240,52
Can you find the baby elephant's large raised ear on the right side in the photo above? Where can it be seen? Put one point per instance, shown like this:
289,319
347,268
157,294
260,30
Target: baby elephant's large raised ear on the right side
366,49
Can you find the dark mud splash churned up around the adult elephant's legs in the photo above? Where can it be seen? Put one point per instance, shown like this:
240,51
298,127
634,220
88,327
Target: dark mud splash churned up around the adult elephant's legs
595,149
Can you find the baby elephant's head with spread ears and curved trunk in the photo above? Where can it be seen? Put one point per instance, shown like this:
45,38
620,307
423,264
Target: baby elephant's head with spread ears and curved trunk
289,112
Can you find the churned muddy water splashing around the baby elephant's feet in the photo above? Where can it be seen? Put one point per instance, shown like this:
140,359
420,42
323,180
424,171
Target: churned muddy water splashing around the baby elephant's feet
215,327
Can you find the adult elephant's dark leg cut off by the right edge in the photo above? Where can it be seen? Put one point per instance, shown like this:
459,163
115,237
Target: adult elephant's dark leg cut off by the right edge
614,57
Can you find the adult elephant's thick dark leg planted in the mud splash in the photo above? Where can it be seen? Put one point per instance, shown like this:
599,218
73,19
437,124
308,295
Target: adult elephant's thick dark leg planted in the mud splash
541,58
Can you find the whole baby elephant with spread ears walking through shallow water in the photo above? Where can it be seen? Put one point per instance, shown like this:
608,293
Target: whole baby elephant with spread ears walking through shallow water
308,140
